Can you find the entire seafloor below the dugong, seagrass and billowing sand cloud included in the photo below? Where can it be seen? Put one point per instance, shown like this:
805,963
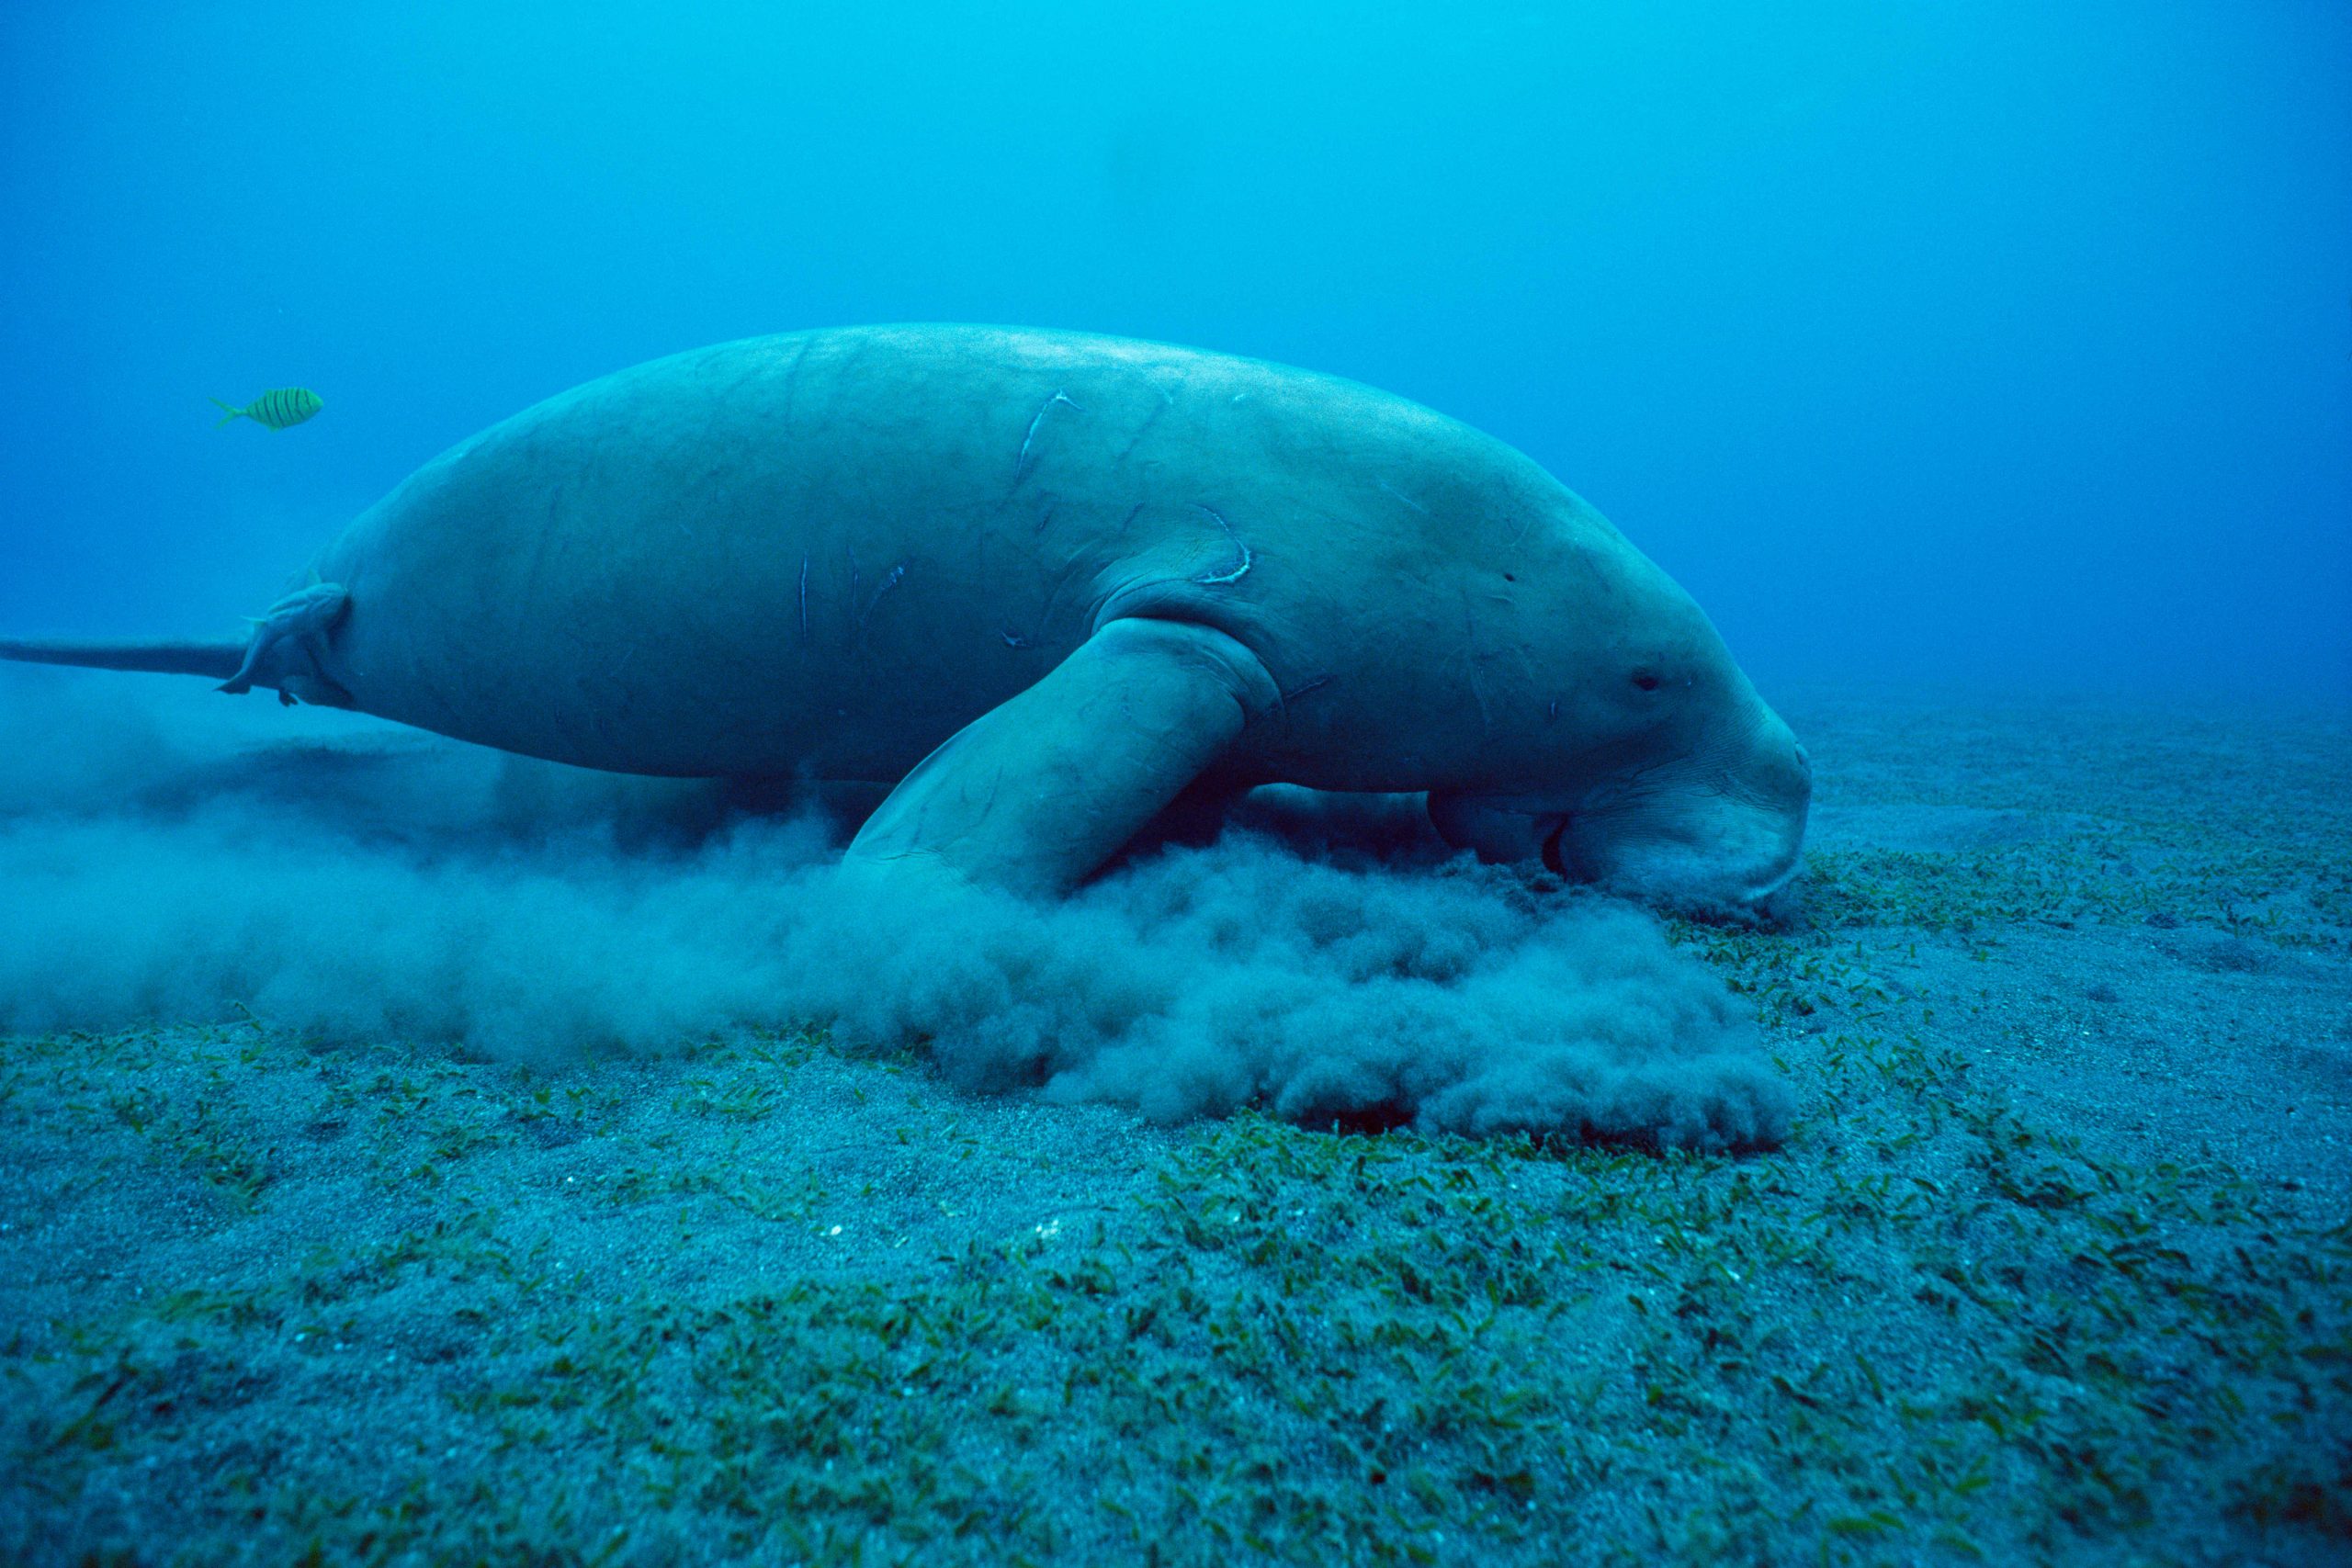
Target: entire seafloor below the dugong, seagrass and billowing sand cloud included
417,1160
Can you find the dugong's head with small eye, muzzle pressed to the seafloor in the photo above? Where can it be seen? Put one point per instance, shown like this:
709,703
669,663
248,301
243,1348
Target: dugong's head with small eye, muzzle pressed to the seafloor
1659,772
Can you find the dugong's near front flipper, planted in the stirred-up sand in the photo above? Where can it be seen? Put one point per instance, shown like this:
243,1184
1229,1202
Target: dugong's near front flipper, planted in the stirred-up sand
1038,793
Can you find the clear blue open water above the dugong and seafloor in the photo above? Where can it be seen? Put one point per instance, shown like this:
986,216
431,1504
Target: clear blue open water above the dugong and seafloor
1937,344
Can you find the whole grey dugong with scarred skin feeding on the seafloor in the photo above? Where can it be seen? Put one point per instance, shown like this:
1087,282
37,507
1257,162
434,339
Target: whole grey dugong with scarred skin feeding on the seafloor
1041,582
